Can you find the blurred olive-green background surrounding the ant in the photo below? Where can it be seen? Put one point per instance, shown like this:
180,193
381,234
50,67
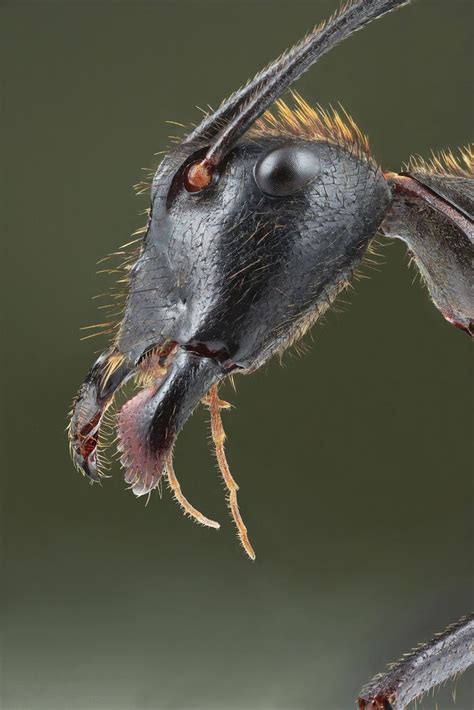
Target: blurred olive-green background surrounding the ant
353,460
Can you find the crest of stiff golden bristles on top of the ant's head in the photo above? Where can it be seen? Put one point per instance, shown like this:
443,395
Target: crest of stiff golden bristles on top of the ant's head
303,121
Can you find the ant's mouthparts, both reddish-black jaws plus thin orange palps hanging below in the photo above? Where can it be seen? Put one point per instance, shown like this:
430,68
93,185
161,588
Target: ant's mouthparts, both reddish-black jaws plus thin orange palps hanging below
148,424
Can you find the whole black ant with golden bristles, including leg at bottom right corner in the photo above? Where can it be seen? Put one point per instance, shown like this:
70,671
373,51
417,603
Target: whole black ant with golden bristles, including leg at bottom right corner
258,219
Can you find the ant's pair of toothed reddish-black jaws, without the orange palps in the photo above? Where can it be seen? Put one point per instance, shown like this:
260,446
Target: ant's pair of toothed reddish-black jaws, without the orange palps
147,425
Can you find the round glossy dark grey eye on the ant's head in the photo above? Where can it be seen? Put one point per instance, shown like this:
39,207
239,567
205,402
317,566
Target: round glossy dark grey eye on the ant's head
286,169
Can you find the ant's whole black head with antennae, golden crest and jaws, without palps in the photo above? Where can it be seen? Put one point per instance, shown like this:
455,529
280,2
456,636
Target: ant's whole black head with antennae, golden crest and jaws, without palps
256,222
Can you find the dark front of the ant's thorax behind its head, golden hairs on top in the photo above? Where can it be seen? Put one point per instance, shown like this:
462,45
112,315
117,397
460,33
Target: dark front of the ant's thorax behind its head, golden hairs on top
432,212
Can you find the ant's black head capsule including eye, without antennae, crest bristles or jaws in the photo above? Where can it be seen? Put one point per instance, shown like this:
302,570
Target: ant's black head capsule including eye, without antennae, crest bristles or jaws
237,270
